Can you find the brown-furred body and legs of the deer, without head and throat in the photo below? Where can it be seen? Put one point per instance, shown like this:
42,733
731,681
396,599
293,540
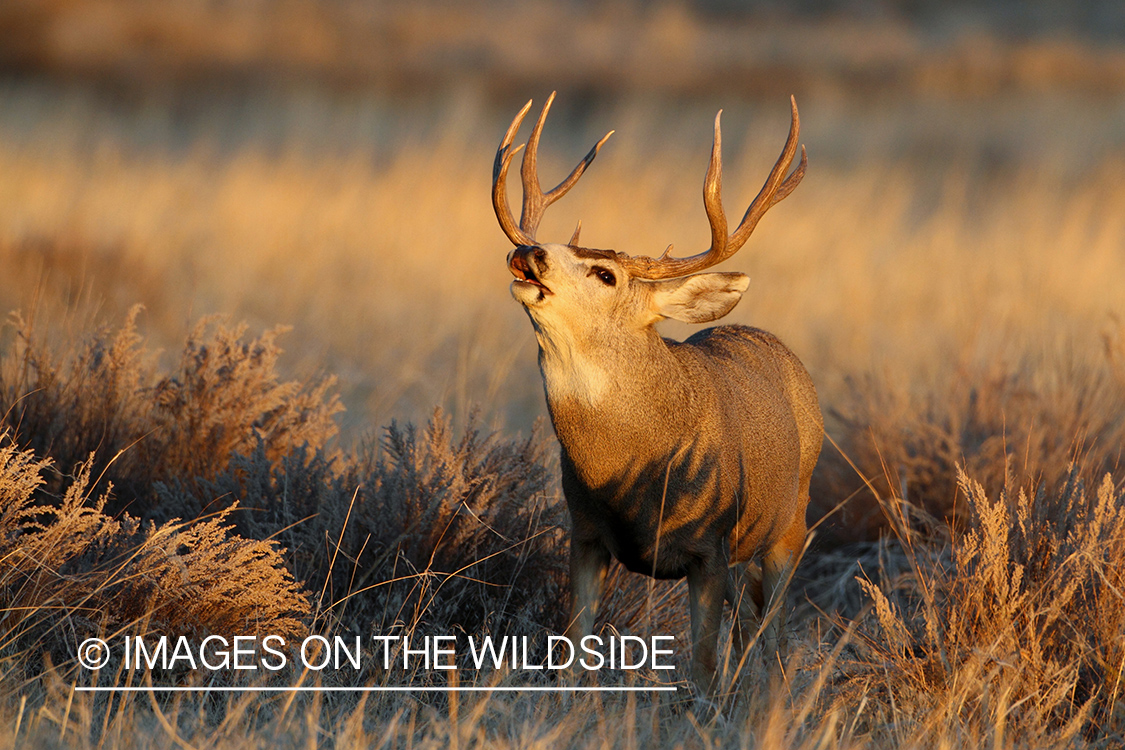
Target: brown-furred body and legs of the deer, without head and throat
703,460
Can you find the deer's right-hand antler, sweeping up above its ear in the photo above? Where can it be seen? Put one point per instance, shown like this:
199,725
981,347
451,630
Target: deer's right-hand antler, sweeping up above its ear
775,191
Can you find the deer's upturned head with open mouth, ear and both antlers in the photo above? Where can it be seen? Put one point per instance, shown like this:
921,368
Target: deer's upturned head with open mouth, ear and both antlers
570,286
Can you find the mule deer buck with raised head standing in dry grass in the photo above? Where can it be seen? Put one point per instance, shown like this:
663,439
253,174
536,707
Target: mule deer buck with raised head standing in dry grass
679,458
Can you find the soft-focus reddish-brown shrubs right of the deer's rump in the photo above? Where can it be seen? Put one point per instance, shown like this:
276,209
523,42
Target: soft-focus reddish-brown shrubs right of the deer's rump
1037,419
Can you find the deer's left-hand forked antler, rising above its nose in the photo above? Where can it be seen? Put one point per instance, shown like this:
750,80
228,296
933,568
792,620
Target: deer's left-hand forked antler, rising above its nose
535,201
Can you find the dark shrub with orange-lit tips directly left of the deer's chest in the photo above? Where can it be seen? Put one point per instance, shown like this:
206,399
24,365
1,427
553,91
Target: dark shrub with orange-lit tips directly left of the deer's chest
476,511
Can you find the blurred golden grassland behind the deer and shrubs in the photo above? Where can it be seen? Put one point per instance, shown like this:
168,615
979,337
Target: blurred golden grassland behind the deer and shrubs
326,165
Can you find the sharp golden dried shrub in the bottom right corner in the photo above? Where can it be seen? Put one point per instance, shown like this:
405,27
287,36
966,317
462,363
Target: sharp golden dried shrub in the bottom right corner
1016,627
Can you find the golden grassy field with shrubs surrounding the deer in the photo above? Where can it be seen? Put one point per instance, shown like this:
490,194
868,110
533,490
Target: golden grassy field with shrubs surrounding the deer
952,273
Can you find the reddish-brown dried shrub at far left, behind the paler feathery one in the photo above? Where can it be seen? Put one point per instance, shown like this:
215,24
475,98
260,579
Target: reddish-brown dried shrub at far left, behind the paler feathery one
106,400
